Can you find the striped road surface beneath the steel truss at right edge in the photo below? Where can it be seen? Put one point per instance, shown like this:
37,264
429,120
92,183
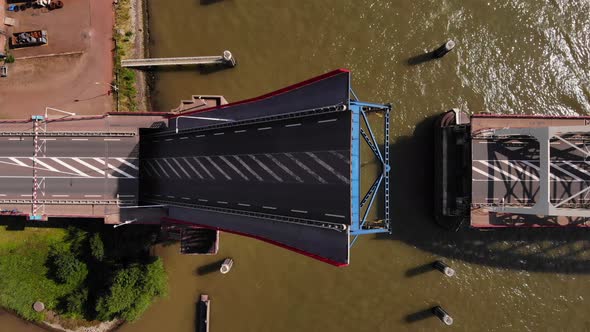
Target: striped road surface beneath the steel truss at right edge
508,171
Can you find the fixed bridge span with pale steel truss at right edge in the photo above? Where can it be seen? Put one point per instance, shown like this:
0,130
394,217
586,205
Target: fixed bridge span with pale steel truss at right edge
505,172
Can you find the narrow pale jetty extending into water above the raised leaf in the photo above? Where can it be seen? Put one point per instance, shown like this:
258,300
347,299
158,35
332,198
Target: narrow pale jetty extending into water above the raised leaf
225,59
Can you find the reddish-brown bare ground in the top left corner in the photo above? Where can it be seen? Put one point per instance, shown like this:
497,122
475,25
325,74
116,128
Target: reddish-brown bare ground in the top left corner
73,72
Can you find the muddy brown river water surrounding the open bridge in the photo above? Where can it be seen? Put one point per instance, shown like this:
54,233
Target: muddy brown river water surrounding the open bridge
520,57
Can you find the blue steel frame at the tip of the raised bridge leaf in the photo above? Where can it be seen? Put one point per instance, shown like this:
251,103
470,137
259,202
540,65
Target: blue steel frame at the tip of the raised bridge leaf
359,225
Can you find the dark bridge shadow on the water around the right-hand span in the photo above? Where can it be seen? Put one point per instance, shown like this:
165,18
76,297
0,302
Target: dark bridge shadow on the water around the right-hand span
564,250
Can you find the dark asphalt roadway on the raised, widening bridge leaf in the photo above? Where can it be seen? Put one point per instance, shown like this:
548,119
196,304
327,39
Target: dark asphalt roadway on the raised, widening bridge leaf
297,168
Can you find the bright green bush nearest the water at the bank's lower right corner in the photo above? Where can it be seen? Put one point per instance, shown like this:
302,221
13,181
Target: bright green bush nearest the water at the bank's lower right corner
132,291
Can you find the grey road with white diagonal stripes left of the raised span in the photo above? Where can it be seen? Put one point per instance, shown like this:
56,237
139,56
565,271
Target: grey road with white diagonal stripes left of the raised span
97,168
